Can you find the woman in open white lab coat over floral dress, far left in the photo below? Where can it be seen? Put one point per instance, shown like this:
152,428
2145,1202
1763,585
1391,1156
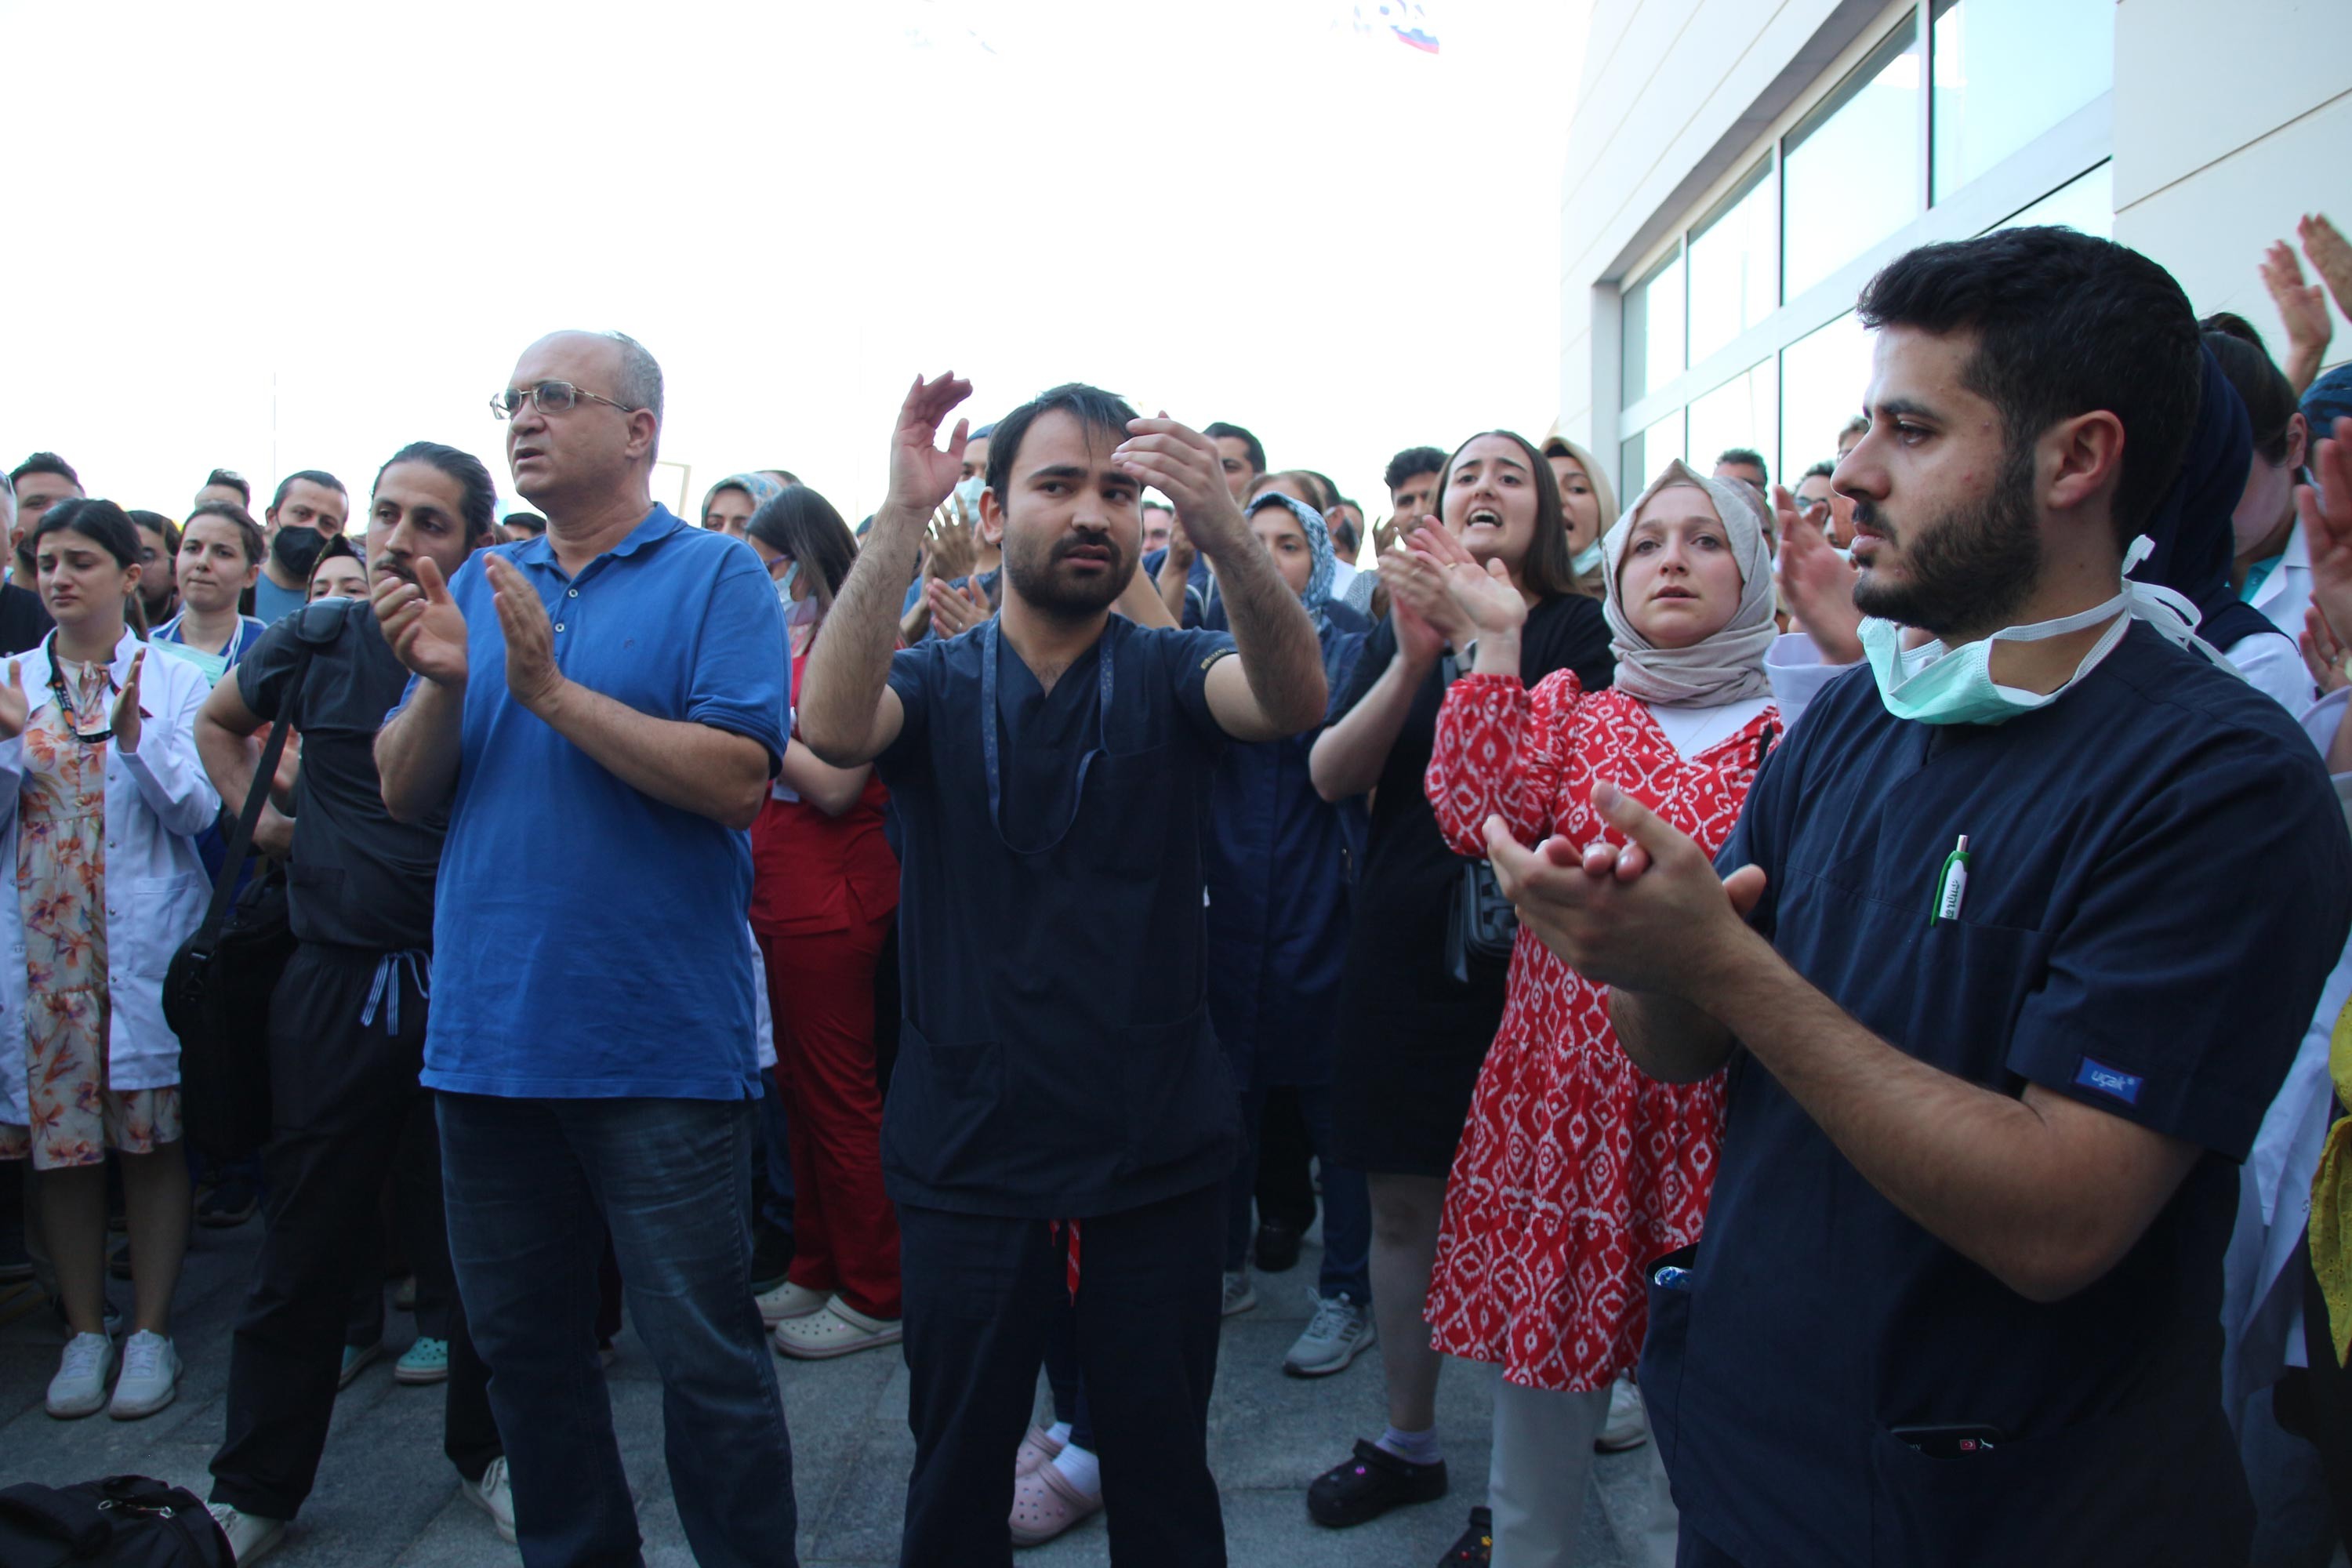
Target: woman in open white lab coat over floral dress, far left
100,803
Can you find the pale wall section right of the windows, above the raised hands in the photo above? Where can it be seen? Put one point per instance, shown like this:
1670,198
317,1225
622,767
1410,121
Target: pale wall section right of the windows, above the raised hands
2221,147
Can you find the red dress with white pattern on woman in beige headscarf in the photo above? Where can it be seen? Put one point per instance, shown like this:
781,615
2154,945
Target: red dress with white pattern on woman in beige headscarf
1575,1170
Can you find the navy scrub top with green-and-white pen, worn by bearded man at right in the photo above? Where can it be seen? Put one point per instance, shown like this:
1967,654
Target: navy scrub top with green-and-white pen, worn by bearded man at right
2160,880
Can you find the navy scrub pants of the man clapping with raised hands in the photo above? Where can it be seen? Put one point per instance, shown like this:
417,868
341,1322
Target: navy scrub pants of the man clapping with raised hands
980,1294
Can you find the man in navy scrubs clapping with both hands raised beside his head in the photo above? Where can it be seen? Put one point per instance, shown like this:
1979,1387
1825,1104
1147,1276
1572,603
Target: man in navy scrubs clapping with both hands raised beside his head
1062,1118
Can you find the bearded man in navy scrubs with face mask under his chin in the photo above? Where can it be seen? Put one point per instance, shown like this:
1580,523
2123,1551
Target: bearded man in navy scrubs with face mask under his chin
2036,913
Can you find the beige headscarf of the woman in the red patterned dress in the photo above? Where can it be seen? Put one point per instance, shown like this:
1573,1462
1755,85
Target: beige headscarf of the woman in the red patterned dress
1728,666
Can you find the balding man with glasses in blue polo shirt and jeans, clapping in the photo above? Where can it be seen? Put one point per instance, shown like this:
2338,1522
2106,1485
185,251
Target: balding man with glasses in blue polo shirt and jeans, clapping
601,711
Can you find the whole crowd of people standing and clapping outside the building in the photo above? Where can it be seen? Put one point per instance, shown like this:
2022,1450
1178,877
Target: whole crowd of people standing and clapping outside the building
1826,989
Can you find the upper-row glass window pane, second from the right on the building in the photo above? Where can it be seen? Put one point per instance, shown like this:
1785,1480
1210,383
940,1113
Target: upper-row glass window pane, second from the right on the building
1850,173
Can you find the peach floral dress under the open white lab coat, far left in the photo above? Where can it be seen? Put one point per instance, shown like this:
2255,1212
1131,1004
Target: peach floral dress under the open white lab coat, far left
62,890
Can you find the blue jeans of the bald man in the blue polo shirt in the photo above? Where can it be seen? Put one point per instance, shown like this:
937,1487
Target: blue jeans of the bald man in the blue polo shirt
533,1186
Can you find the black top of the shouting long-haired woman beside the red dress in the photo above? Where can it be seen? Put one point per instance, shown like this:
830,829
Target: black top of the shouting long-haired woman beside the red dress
1398,981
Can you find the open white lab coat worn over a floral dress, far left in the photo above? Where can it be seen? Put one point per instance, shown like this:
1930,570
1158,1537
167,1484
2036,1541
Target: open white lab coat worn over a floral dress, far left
156,887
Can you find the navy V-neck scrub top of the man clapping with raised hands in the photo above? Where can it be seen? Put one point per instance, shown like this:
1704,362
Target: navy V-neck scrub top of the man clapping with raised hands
1057,1057
